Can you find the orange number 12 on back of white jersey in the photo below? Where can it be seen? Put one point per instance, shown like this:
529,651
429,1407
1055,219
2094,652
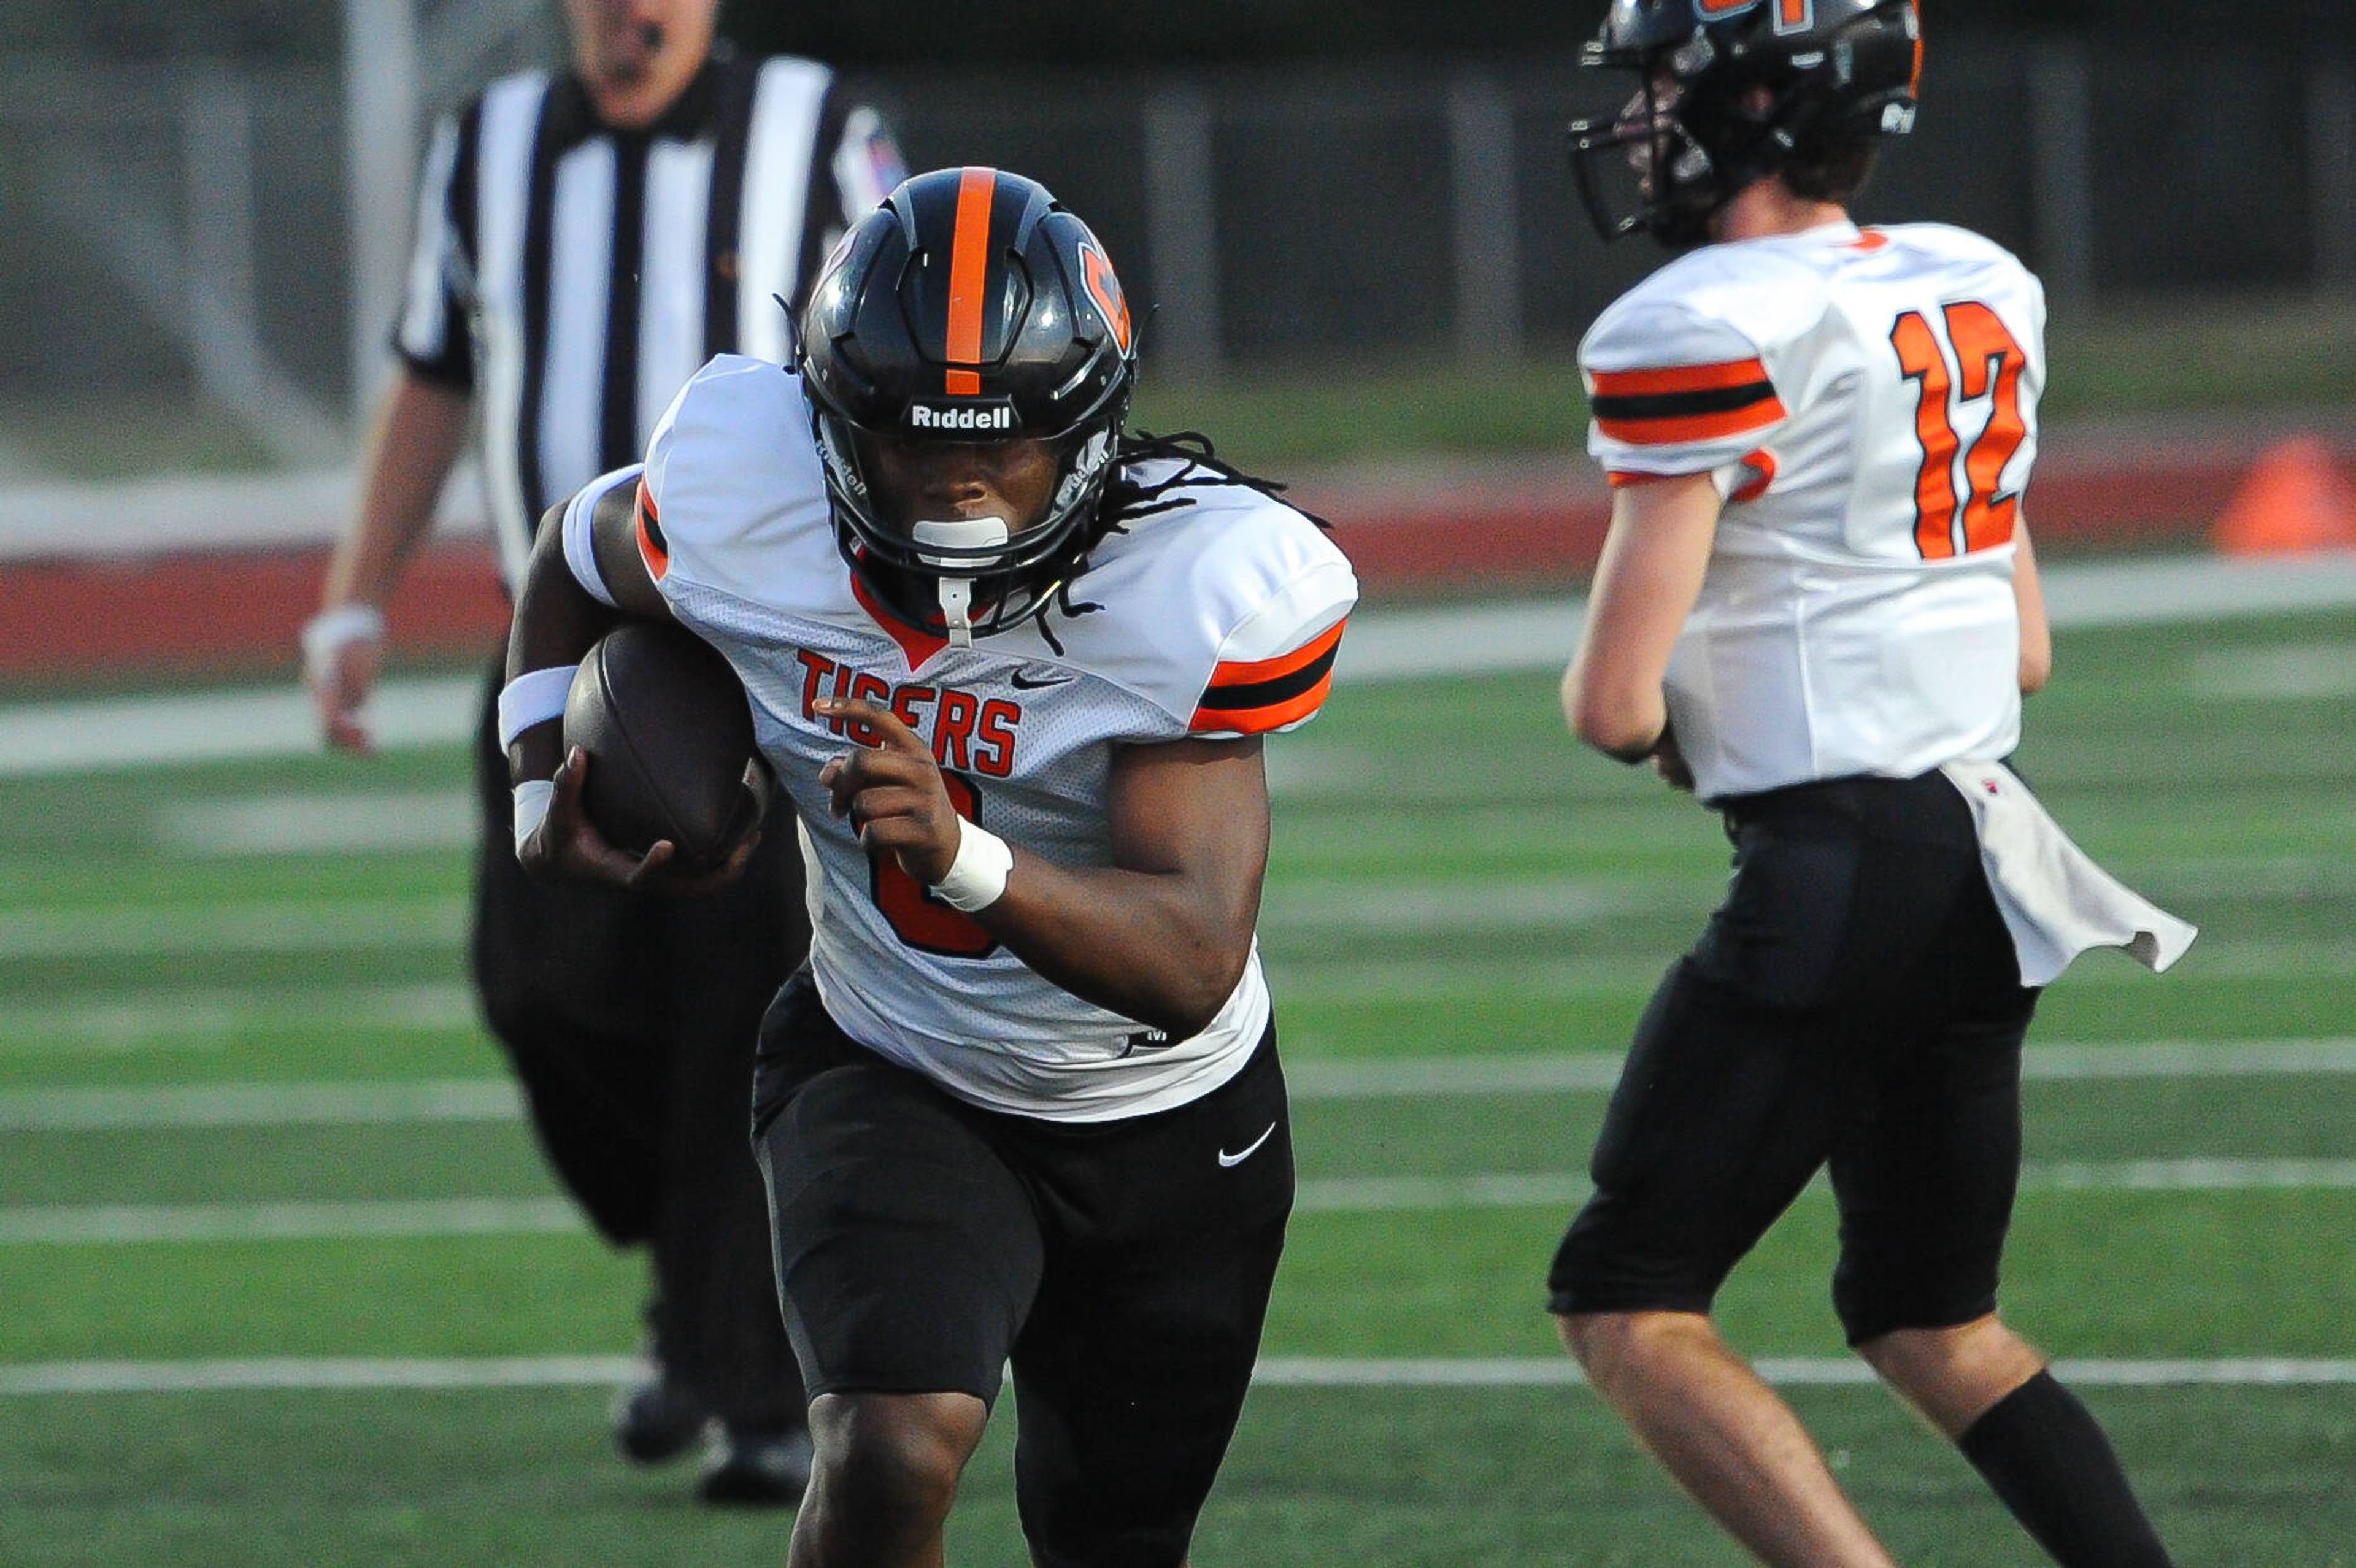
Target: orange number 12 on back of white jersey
1978,359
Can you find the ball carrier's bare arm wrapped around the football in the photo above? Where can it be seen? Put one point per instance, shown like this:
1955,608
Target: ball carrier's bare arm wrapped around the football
557,625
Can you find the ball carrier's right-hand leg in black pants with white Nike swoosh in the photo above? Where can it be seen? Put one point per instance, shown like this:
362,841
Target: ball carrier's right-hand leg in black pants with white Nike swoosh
1137,1357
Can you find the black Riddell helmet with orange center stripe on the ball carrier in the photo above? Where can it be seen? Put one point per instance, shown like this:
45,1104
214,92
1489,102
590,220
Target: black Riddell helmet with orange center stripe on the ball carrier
969,310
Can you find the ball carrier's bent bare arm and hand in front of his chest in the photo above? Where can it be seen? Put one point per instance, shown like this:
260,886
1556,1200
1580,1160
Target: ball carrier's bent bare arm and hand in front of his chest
1163,934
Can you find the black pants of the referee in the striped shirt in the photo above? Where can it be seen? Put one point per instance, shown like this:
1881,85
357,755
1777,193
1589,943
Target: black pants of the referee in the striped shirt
633,1023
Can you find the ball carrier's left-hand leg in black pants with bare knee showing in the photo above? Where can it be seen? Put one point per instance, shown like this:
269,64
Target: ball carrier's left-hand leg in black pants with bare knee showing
908,1256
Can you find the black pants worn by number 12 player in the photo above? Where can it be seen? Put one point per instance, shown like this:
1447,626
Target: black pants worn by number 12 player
1855,1004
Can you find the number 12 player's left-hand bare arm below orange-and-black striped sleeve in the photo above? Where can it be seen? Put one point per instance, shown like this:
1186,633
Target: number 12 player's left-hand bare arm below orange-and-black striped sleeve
1646,587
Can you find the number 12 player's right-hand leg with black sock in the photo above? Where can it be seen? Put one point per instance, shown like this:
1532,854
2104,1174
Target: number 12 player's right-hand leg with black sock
1926,1188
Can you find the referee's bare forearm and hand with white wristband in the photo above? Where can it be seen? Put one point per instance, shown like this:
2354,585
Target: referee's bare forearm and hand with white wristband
416,441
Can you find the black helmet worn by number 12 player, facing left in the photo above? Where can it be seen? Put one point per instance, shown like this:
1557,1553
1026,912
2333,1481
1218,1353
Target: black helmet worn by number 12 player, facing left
1700,131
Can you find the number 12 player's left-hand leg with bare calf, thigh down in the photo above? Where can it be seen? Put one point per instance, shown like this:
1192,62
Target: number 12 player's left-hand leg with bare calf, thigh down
1719,1122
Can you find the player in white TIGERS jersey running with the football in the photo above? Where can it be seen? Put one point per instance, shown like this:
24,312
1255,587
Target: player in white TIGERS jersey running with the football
1014,670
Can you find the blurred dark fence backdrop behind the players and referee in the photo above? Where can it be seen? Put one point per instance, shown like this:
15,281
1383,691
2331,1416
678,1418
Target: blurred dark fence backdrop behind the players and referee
204,211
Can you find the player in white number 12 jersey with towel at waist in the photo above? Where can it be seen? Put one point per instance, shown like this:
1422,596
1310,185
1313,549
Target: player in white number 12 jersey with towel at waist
1820,613
